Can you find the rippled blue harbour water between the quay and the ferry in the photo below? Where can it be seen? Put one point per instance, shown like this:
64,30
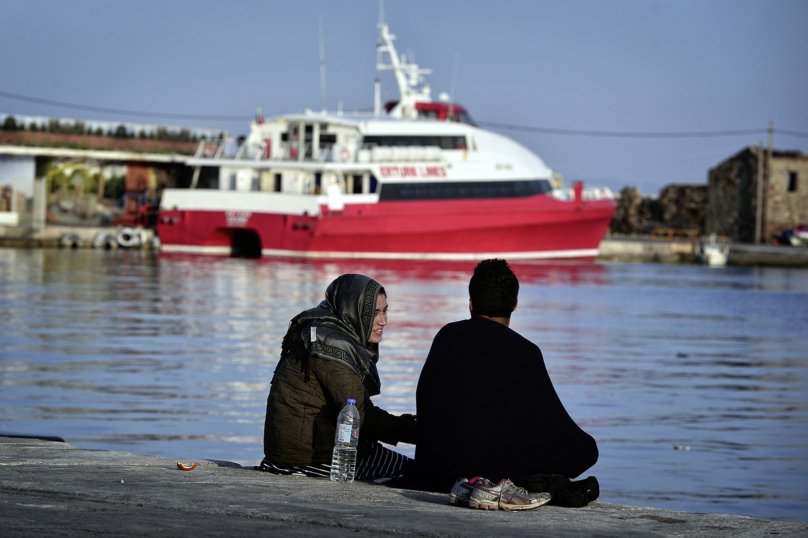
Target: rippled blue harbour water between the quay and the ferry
172,355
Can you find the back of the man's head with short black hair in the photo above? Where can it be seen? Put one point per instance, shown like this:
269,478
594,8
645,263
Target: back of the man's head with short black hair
493,289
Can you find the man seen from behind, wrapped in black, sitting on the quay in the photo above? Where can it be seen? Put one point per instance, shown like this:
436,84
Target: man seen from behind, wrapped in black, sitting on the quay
486,405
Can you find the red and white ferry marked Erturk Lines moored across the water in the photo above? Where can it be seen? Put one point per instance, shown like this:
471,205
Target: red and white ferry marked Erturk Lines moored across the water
415,180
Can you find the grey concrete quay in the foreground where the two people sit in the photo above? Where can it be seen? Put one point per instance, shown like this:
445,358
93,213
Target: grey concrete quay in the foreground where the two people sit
52,488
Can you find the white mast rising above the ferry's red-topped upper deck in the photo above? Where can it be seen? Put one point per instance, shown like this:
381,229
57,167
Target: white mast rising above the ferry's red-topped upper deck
411,87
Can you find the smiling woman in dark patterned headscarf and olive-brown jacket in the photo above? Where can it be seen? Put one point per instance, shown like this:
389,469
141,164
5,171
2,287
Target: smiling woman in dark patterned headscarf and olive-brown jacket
329,355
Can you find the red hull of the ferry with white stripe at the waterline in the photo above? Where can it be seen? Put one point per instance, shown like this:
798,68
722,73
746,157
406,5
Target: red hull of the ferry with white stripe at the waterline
537,226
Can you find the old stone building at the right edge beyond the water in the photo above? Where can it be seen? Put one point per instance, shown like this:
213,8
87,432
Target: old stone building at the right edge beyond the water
734,197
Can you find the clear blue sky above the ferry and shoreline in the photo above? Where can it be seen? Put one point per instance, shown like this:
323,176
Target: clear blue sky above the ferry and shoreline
614,66
